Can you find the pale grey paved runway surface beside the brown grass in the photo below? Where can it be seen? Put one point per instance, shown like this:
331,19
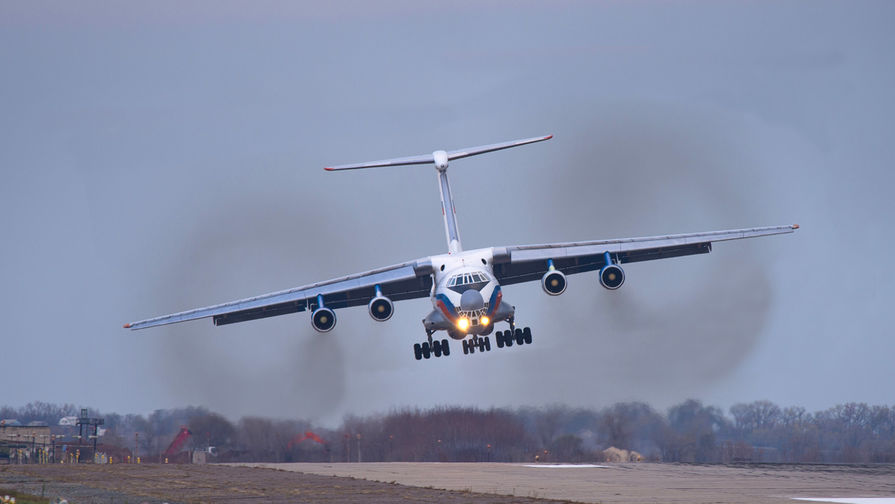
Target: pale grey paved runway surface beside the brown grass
630,483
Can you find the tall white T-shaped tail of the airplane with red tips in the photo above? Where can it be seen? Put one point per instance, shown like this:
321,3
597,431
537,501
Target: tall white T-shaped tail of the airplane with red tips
440,159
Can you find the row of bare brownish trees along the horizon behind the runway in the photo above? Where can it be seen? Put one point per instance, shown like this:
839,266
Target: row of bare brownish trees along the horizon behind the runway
688,432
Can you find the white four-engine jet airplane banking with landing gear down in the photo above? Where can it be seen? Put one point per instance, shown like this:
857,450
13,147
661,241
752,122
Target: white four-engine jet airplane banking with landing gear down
465,286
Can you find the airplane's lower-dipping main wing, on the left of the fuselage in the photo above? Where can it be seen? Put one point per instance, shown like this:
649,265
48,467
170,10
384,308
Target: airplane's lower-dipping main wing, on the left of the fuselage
402,281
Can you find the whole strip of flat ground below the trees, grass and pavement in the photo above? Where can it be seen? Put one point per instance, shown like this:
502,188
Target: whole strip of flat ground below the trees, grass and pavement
388,483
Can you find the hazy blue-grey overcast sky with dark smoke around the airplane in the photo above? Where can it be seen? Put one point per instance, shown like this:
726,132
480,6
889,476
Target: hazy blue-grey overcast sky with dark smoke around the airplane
163,156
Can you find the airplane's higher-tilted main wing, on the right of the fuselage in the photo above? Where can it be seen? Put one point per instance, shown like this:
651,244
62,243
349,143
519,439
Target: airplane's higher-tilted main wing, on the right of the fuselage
524,263
